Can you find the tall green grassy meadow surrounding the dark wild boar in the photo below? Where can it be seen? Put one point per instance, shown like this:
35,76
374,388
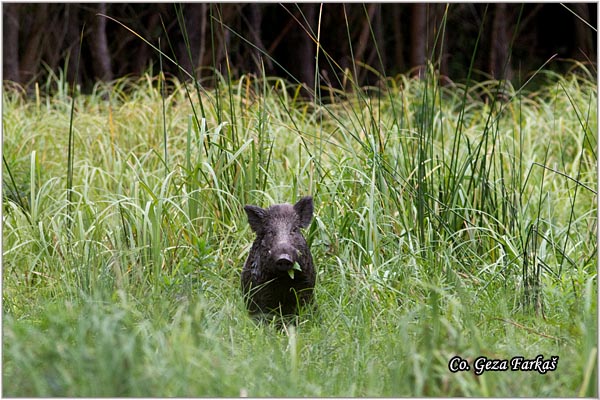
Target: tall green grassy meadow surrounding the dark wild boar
451,219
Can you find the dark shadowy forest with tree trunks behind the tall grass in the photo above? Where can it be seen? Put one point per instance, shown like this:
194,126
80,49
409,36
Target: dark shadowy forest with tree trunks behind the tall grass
279,38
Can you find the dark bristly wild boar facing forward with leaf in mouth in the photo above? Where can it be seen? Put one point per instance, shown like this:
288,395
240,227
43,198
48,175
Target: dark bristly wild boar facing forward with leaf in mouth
279,245
